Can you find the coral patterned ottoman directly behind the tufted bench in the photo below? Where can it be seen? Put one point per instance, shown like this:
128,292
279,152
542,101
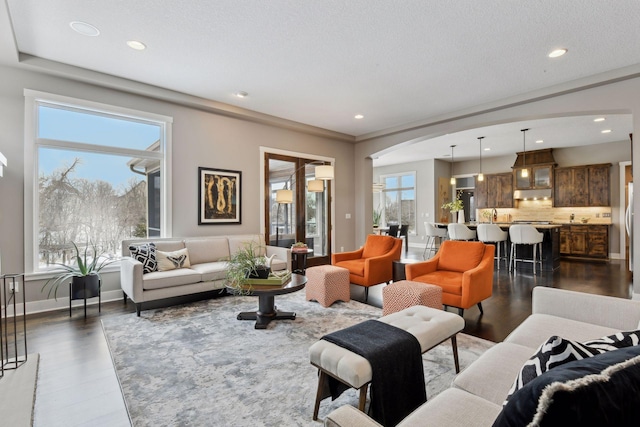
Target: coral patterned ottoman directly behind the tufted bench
405,293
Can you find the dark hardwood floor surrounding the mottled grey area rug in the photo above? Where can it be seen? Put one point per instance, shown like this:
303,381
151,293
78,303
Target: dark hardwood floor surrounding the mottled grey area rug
77,385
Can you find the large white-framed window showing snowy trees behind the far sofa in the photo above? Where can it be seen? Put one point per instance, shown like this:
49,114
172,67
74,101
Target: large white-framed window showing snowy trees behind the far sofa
95,174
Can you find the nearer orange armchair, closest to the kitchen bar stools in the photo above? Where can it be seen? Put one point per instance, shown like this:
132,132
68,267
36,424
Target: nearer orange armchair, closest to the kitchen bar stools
464,271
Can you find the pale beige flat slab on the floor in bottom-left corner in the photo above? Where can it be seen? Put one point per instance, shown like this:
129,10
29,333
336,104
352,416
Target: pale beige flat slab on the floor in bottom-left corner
18,393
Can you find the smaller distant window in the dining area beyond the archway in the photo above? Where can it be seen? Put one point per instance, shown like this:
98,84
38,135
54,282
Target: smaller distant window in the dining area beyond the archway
399,199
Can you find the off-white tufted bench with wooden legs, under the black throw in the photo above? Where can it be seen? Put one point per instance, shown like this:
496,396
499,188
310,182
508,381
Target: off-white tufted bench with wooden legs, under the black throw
429,325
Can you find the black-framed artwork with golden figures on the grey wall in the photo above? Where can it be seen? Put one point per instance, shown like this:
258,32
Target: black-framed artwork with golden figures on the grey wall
219,198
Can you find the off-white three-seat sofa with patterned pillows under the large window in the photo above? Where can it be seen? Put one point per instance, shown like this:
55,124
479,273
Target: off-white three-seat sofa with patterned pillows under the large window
208,256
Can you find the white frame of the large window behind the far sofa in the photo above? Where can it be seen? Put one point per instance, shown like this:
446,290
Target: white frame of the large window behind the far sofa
33,99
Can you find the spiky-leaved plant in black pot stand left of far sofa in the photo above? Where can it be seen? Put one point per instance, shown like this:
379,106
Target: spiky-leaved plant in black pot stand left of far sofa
84,274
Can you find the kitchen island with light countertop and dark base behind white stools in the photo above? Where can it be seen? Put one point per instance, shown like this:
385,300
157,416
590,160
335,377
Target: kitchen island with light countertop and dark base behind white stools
550,243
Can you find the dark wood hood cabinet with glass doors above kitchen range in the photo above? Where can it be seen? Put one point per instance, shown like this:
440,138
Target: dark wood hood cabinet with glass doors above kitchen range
539,165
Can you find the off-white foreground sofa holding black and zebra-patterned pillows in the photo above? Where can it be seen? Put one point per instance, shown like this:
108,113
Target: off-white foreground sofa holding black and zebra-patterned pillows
477,393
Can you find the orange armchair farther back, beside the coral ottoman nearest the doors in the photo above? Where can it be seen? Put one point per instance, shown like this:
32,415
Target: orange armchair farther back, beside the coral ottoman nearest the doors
373,263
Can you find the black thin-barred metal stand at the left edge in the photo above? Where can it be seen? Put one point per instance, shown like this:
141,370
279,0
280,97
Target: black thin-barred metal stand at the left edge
9,325
